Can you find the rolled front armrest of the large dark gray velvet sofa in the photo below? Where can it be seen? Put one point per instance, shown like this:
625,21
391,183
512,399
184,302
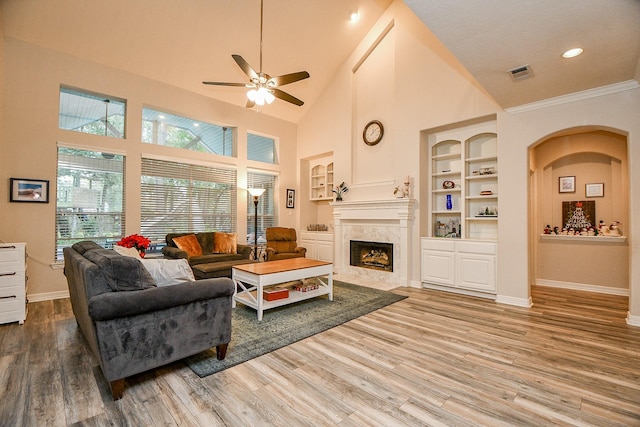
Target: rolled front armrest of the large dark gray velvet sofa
111,305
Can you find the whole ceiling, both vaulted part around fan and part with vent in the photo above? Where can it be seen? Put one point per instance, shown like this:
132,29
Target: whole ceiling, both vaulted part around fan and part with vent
185,42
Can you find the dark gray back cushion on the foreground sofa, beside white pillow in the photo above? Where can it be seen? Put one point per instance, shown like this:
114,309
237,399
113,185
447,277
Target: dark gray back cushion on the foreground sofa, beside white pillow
122,273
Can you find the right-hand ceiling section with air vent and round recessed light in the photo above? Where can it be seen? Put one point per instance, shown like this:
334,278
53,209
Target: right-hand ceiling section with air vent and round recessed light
490,37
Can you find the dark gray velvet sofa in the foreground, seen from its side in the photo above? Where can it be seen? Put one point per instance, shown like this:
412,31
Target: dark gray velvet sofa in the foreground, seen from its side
131,325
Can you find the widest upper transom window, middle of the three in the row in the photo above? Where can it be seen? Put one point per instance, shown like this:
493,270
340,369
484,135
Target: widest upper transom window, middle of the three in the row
181,132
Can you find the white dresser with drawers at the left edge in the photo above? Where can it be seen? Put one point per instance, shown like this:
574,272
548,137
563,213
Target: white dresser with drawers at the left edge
13,284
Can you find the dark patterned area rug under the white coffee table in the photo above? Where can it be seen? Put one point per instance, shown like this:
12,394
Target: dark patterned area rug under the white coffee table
285,325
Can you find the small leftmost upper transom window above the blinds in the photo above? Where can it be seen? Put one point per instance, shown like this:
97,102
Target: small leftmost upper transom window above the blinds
92,113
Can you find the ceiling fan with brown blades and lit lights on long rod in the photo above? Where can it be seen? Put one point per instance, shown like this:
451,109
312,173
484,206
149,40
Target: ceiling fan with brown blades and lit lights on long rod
263,87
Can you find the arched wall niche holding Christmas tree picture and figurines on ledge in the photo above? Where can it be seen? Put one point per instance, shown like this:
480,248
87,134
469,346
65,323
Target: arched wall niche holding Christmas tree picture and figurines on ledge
592,155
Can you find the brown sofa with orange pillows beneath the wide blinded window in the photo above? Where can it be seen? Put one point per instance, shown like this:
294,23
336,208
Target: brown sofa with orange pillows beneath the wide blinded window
209,264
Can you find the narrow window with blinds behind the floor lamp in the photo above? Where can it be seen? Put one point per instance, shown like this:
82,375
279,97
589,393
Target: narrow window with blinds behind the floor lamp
267,205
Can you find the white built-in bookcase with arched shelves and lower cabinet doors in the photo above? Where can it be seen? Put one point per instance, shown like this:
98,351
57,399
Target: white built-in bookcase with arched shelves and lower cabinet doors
459,251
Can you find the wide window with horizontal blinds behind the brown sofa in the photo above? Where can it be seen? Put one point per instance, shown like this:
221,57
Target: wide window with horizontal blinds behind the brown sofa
179,197
